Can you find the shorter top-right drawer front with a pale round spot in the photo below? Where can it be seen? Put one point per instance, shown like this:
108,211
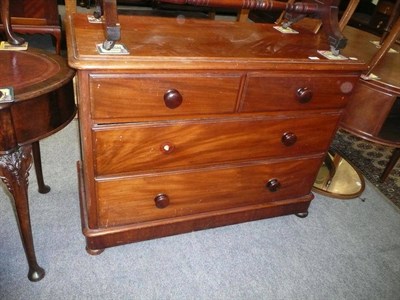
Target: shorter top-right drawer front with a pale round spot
267,92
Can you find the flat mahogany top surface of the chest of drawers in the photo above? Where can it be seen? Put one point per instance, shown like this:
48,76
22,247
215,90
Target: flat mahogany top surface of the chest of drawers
184,44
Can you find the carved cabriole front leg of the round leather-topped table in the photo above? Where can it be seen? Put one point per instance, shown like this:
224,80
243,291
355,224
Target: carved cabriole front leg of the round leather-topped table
14,172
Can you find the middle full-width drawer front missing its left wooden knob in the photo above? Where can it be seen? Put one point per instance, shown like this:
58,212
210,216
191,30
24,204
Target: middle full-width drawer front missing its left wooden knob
145,147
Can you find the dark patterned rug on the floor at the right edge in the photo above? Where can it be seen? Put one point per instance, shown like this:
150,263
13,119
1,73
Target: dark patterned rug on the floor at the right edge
371,160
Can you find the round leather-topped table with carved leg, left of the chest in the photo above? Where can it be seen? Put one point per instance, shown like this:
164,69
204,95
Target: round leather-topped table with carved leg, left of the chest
43,104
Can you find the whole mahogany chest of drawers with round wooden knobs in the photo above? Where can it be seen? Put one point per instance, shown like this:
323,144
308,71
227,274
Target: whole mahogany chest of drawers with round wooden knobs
203,124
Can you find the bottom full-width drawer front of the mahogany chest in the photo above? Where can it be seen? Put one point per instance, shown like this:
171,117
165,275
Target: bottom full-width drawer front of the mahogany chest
170,195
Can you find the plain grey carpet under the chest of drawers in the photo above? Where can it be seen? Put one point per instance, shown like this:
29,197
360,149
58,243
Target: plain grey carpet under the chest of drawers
343,250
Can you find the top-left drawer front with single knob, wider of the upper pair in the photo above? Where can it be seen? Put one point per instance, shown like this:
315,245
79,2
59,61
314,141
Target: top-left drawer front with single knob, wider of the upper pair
139,96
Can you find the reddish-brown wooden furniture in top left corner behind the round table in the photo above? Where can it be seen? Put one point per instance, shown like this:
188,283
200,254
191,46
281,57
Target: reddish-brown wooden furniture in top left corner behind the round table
39,16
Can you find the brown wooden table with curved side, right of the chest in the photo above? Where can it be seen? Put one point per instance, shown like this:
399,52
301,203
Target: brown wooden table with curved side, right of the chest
372,101
